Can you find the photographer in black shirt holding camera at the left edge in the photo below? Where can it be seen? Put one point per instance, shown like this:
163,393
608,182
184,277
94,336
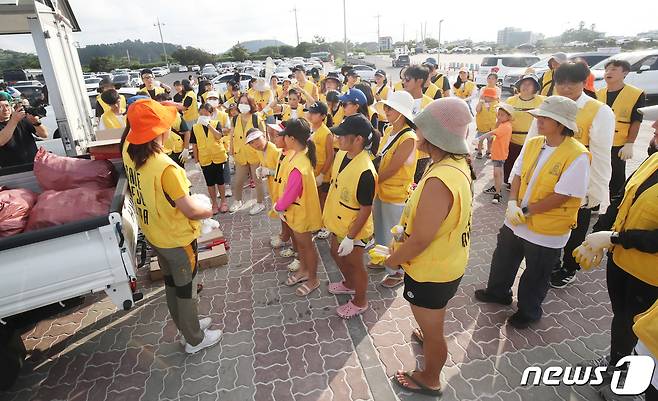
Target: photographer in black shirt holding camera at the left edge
17,144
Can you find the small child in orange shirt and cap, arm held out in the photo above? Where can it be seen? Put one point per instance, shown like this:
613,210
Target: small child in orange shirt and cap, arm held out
501,135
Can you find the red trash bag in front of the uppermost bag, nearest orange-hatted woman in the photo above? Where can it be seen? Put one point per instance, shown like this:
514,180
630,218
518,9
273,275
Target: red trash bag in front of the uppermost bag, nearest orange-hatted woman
60,207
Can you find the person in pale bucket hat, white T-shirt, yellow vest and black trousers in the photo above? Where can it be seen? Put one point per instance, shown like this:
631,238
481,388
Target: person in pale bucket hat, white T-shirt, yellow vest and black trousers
551,176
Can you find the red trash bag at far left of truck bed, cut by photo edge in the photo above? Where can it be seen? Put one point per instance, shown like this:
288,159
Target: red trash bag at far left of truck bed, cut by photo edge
15,206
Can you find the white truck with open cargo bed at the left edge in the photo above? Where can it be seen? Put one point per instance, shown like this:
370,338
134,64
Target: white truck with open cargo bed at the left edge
47,271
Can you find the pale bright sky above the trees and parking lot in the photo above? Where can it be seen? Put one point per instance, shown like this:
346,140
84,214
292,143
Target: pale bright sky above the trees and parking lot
215,25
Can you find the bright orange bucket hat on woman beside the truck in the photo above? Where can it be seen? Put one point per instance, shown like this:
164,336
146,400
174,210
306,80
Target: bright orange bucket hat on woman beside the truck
148,119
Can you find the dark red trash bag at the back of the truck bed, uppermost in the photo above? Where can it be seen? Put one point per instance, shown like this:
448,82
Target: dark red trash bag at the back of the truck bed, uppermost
61,173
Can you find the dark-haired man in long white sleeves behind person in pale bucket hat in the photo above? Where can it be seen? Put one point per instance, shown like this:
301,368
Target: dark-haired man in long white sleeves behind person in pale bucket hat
596,123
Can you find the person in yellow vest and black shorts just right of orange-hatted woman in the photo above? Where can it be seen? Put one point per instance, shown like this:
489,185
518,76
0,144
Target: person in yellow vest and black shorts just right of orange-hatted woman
210,153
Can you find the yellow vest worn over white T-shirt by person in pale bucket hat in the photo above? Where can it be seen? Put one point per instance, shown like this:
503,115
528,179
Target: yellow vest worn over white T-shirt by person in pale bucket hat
561,220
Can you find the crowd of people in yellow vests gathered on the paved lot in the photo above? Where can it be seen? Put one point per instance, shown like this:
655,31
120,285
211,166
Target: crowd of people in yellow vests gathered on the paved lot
383,171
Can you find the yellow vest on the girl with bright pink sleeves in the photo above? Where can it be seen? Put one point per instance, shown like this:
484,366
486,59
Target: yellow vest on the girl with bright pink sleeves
304,215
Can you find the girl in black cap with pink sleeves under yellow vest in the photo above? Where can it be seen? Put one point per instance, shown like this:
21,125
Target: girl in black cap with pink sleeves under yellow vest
299,205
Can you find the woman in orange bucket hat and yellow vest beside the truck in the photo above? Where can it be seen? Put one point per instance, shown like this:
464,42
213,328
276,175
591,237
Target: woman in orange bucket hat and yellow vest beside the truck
168,215
